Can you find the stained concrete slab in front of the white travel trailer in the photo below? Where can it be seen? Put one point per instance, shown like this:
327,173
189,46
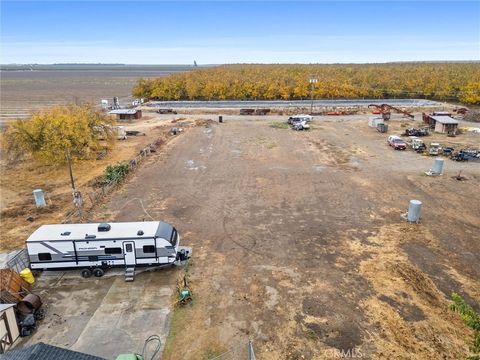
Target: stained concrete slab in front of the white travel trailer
107,316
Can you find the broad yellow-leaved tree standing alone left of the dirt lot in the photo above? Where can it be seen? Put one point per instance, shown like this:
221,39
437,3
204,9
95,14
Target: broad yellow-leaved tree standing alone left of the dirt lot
80,130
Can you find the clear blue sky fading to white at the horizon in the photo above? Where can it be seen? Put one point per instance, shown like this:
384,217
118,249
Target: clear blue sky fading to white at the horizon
160,32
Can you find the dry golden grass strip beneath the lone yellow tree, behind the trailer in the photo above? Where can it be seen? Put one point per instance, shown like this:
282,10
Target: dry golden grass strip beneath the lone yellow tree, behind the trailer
20,217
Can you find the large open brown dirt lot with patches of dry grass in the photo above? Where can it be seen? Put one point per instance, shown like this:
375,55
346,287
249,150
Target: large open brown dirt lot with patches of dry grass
299,244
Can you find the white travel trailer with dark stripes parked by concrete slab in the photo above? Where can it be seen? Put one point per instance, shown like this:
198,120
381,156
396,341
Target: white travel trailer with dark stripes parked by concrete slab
96,247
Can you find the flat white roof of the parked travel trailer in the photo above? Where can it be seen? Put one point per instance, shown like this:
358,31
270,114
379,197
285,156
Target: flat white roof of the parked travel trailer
125,230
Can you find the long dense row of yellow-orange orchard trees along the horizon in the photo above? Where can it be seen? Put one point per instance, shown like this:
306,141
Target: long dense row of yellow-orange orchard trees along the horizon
445,81
